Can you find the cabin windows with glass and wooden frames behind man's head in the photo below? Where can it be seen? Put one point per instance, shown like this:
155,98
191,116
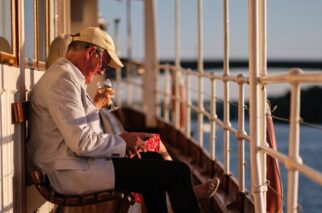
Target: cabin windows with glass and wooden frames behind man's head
40,24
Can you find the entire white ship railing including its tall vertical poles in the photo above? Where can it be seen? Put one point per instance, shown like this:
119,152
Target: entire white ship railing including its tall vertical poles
256,82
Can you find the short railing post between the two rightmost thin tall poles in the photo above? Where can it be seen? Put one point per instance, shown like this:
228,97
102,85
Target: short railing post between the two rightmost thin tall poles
212,142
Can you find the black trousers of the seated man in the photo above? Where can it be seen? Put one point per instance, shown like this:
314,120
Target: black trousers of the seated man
152,177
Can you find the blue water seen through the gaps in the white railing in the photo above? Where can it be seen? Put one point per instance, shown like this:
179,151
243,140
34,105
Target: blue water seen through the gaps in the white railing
310,150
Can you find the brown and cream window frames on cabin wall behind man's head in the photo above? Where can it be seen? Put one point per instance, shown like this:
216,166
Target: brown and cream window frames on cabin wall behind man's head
50,27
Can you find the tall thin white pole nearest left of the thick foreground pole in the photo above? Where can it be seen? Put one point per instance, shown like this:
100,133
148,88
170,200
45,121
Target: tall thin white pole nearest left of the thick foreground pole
226,89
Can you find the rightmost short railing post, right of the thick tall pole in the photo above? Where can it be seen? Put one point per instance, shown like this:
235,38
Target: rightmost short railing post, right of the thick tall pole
294,145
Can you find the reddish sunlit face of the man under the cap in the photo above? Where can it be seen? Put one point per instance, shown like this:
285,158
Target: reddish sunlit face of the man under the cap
96,64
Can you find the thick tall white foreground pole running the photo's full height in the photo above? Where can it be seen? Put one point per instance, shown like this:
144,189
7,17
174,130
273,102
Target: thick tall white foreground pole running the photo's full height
257,183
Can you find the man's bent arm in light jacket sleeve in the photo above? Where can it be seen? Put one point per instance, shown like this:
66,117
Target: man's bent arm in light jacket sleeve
80,127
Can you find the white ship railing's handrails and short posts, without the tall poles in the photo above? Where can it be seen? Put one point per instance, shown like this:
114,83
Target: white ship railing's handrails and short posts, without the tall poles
292,161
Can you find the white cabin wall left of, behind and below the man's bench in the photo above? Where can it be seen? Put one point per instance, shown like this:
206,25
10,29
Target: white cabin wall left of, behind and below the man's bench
10,141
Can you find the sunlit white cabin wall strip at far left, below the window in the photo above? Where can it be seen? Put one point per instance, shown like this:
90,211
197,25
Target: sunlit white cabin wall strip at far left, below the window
10,139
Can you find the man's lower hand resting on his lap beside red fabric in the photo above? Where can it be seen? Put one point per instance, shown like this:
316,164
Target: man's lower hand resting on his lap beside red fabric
135,142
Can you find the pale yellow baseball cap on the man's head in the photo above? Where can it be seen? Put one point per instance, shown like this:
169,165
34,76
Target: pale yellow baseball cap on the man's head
98,37
